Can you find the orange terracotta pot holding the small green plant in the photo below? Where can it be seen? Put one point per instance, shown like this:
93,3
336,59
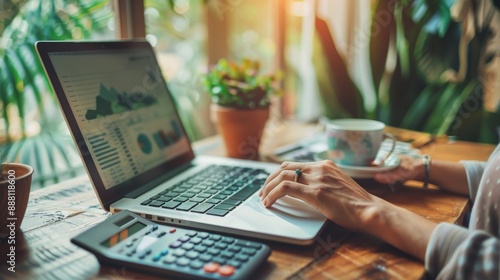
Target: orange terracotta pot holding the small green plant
241,130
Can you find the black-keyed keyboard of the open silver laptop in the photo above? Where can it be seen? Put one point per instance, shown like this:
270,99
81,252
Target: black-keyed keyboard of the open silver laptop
216,190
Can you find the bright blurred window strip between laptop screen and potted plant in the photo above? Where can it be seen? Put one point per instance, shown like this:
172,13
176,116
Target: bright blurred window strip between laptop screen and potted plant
177,30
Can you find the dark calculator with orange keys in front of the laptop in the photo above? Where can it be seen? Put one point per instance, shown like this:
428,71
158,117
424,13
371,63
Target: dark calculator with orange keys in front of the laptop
128,240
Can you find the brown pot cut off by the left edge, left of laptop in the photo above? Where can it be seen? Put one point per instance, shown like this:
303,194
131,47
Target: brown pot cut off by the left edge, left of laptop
14,196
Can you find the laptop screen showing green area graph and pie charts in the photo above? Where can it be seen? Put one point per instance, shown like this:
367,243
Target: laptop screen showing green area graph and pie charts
121,107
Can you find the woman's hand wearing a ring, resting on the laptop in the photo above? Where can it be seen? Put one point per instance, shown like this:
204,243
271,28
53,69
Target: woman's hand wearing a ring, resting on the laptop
325,187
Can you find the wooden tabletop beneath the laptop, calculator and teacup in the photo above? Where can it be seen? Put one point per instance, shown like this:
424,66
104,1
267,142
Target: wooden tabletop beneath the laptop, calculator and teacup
57,213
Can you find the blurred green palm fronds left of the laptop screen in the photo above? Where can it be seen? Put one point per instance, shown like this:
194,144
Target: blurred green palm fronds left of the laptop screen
33,131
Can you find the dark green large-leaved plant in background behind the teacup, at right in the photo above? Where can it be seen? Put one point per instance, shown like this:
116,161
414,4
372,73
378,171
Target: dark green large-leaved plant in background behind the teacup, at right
436,74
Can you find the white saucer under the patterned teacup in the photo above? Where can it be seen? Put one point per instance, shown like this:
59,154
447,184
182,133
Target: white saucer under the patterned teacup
363,172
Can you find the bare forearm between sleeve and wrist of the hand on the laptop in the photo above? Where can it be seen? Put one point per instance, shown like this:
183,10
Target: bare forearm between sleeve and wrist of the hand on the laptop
399,227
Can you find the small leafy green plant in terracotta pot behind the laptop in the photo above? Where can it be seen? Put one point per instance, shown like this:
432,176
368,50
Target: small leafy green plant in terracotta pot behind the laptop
240,104
